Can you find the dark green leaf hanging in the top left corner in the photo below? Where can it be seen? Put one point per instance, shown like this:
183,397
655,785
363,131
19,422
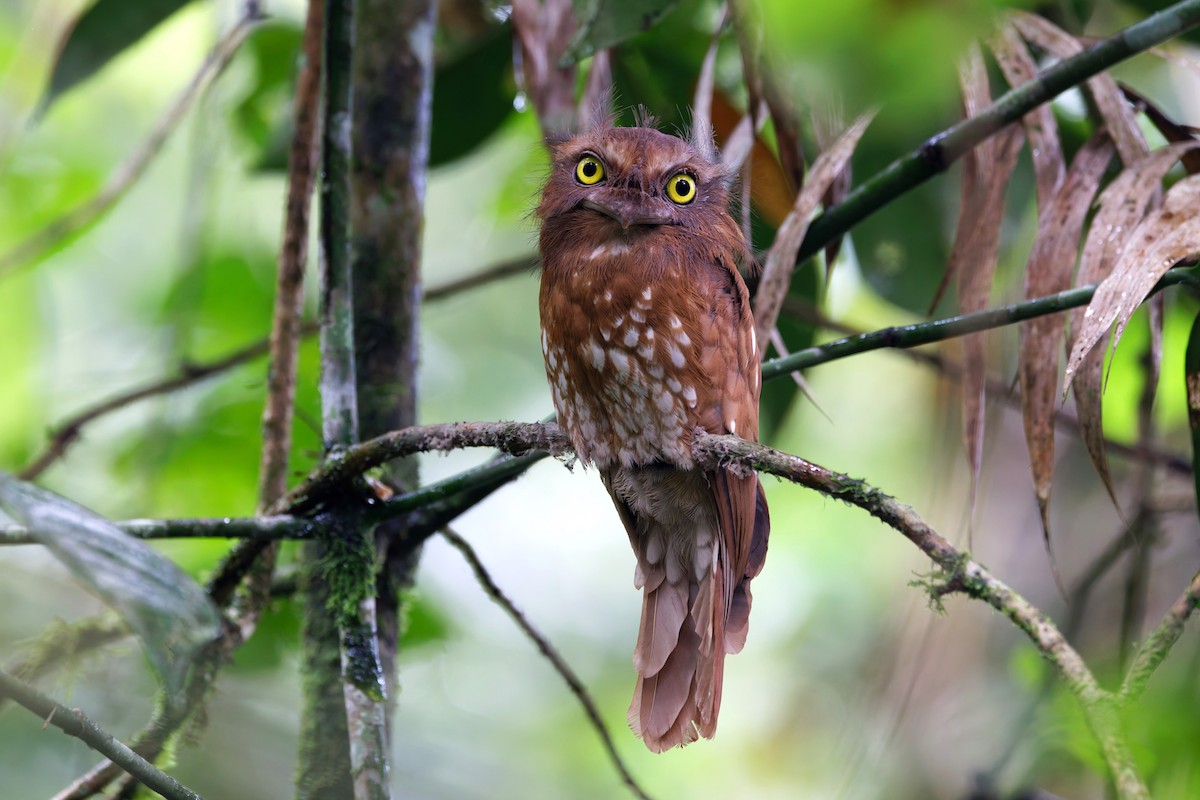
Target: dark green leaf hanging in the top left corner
100,34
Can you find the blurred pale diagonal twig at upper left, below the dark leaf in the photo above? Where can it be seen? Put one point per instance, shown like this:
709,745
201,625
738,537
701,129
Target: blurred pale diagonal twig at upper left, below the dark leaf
128,175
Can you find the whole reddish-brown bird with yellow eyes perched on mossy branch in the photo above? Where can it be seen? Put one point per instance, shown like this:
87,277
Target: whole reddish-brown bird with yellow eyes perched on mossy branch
647,334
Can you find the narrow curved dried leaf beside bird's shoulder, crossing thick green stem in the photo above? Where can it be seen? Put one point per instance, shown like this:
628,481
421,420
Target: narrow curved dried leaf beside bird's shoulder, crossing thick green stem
777,274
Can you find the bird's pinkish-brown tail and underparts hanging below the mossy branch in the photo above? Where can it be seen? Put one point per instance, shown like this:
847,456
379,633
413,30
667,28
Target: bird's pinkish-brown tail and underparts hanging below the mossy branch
700,539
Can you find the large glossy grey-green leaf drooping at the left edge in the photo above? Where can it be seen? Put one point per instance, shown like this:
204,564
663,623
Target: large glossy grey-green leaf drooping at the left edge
167,610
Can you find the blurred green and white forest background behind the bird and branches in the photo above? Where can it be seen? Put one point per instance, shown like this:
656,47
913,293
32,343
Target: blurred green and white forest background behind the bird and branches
848,688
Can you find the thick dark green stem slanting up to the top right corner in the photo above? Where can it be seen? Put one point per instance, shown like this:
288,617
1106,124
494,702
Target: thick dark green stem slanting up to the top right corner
939,153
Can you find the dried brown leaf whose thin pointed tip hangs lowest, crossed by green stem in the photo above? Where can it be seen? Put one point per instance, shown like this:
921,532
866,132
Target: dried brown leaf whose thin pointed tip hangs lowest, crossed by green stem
1049,270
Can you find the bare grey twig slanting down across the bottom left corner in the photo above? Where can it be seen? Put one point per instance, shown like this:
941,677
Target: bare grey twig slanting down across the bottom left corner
76,724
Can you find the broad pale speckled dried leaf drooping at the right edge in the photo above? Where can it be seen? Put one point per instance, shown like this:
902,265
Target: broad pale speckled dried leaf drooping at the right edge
1120,228
